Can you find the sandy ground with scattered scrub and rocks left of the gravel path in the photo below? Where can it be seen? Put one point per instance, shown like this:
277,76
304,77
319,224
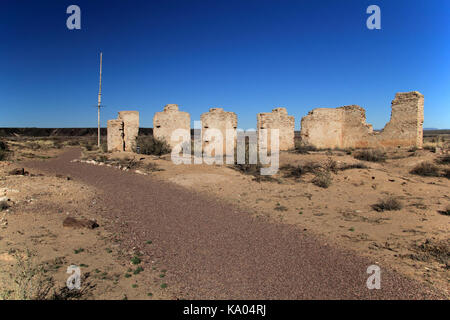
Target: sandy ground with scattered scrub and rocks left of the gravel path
33,226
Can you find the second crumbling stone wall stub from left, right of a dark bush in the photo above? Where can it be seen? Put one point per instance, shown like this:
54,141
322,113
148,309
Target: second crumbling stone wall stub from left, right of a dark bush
167,121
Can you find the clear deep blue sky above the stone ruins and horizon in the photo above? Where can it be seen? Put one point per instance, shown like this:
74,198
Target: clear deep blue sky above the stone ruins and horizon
247,56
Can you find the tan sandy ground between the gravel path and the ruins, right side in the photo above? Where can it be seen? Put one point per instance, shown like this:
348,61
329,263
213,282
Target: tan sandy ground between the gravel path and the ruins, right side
342,214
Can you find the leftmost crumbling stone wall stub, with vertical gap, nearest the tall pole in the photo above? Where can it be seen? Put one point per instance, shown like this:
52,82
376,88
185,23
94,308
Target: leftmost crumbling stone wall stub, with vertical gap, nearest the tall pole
123,131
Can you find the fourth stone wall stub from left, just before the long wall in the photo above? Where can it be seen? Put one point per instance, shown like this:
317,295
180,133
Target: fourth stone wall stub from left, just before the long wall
278,119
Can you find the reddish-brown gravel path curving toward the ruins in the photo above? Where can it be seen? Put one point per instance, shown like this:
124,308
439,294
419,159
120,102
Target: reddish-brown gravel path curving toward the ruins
214,251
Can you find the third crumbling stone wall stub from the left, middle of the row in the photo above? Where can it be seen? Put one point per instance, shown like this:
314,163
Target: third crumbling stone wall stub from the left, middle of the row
221,120
